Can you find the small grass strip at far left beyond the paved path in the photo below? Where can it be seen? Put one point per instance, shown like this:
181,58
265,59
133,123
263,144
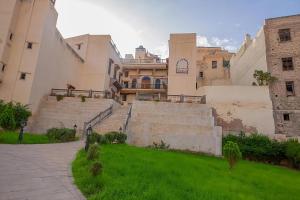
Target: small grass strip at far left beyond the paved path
12,138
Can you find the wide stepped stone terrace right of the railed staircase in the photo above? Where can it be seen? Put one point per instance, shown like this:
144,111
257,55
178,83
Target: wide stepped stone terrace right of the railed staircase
184,126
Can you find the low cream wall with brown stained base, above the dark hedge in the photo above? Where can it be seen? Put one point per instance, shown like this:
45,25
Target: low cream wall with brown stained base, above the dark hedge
241,108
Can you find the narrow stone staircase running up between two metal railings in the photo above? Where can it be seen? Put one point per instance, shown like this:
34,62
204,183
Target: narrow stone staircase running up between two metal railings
114,122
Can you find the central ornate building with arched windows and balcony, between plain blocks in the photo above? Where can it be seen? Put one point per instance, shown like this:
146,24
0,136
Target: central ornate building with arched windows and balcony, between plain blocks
145,77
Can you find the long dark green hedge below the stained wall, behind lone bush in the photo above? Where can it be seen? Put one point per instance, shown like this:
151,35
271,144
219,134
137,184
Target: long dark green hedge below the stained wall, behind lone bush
259,148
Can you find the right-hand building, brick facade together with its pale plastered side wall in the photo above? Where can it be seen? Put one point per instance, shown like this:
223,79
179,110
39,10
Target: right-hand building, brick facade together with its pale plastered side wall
275,49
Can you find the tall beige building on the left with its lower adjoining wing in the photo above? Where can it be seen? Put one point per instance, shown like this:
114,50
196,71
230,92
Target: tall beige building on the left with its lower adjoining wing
35,58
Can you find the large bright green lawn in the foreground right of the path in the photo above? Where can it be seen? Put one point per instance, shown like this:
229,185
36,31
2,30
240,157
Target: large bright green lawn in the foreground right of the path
131,173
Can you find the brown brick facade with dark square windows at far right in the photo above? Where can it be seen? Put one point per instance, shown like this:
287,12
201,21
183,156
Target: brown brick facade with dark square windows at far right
283,60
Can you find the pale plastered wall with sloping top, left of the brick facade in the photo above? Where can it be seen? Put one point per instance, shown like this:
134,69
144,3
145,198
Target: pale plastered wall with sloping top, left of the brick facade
250,57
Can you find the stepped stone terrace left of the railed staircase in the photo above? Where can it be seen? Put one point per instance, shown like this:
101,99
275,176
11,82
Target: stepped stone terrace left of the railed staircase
66,113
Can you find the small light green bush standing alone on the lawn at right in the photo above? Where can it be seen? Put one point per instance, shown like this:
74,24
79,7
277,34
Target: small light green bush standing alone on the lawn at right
232,153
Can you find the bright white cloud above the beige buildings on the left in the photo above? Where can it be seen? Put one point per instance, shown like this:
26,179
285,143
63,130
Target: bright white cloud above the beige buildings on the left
77,17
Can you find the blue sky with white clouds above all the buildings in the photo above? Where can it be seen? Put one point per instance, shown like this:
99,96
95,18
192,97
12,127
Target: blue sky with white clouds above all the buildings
149,22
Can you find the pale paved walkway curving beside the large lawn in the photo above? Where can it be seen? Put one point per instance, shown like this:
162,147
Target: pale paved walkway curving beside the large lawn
38,172
